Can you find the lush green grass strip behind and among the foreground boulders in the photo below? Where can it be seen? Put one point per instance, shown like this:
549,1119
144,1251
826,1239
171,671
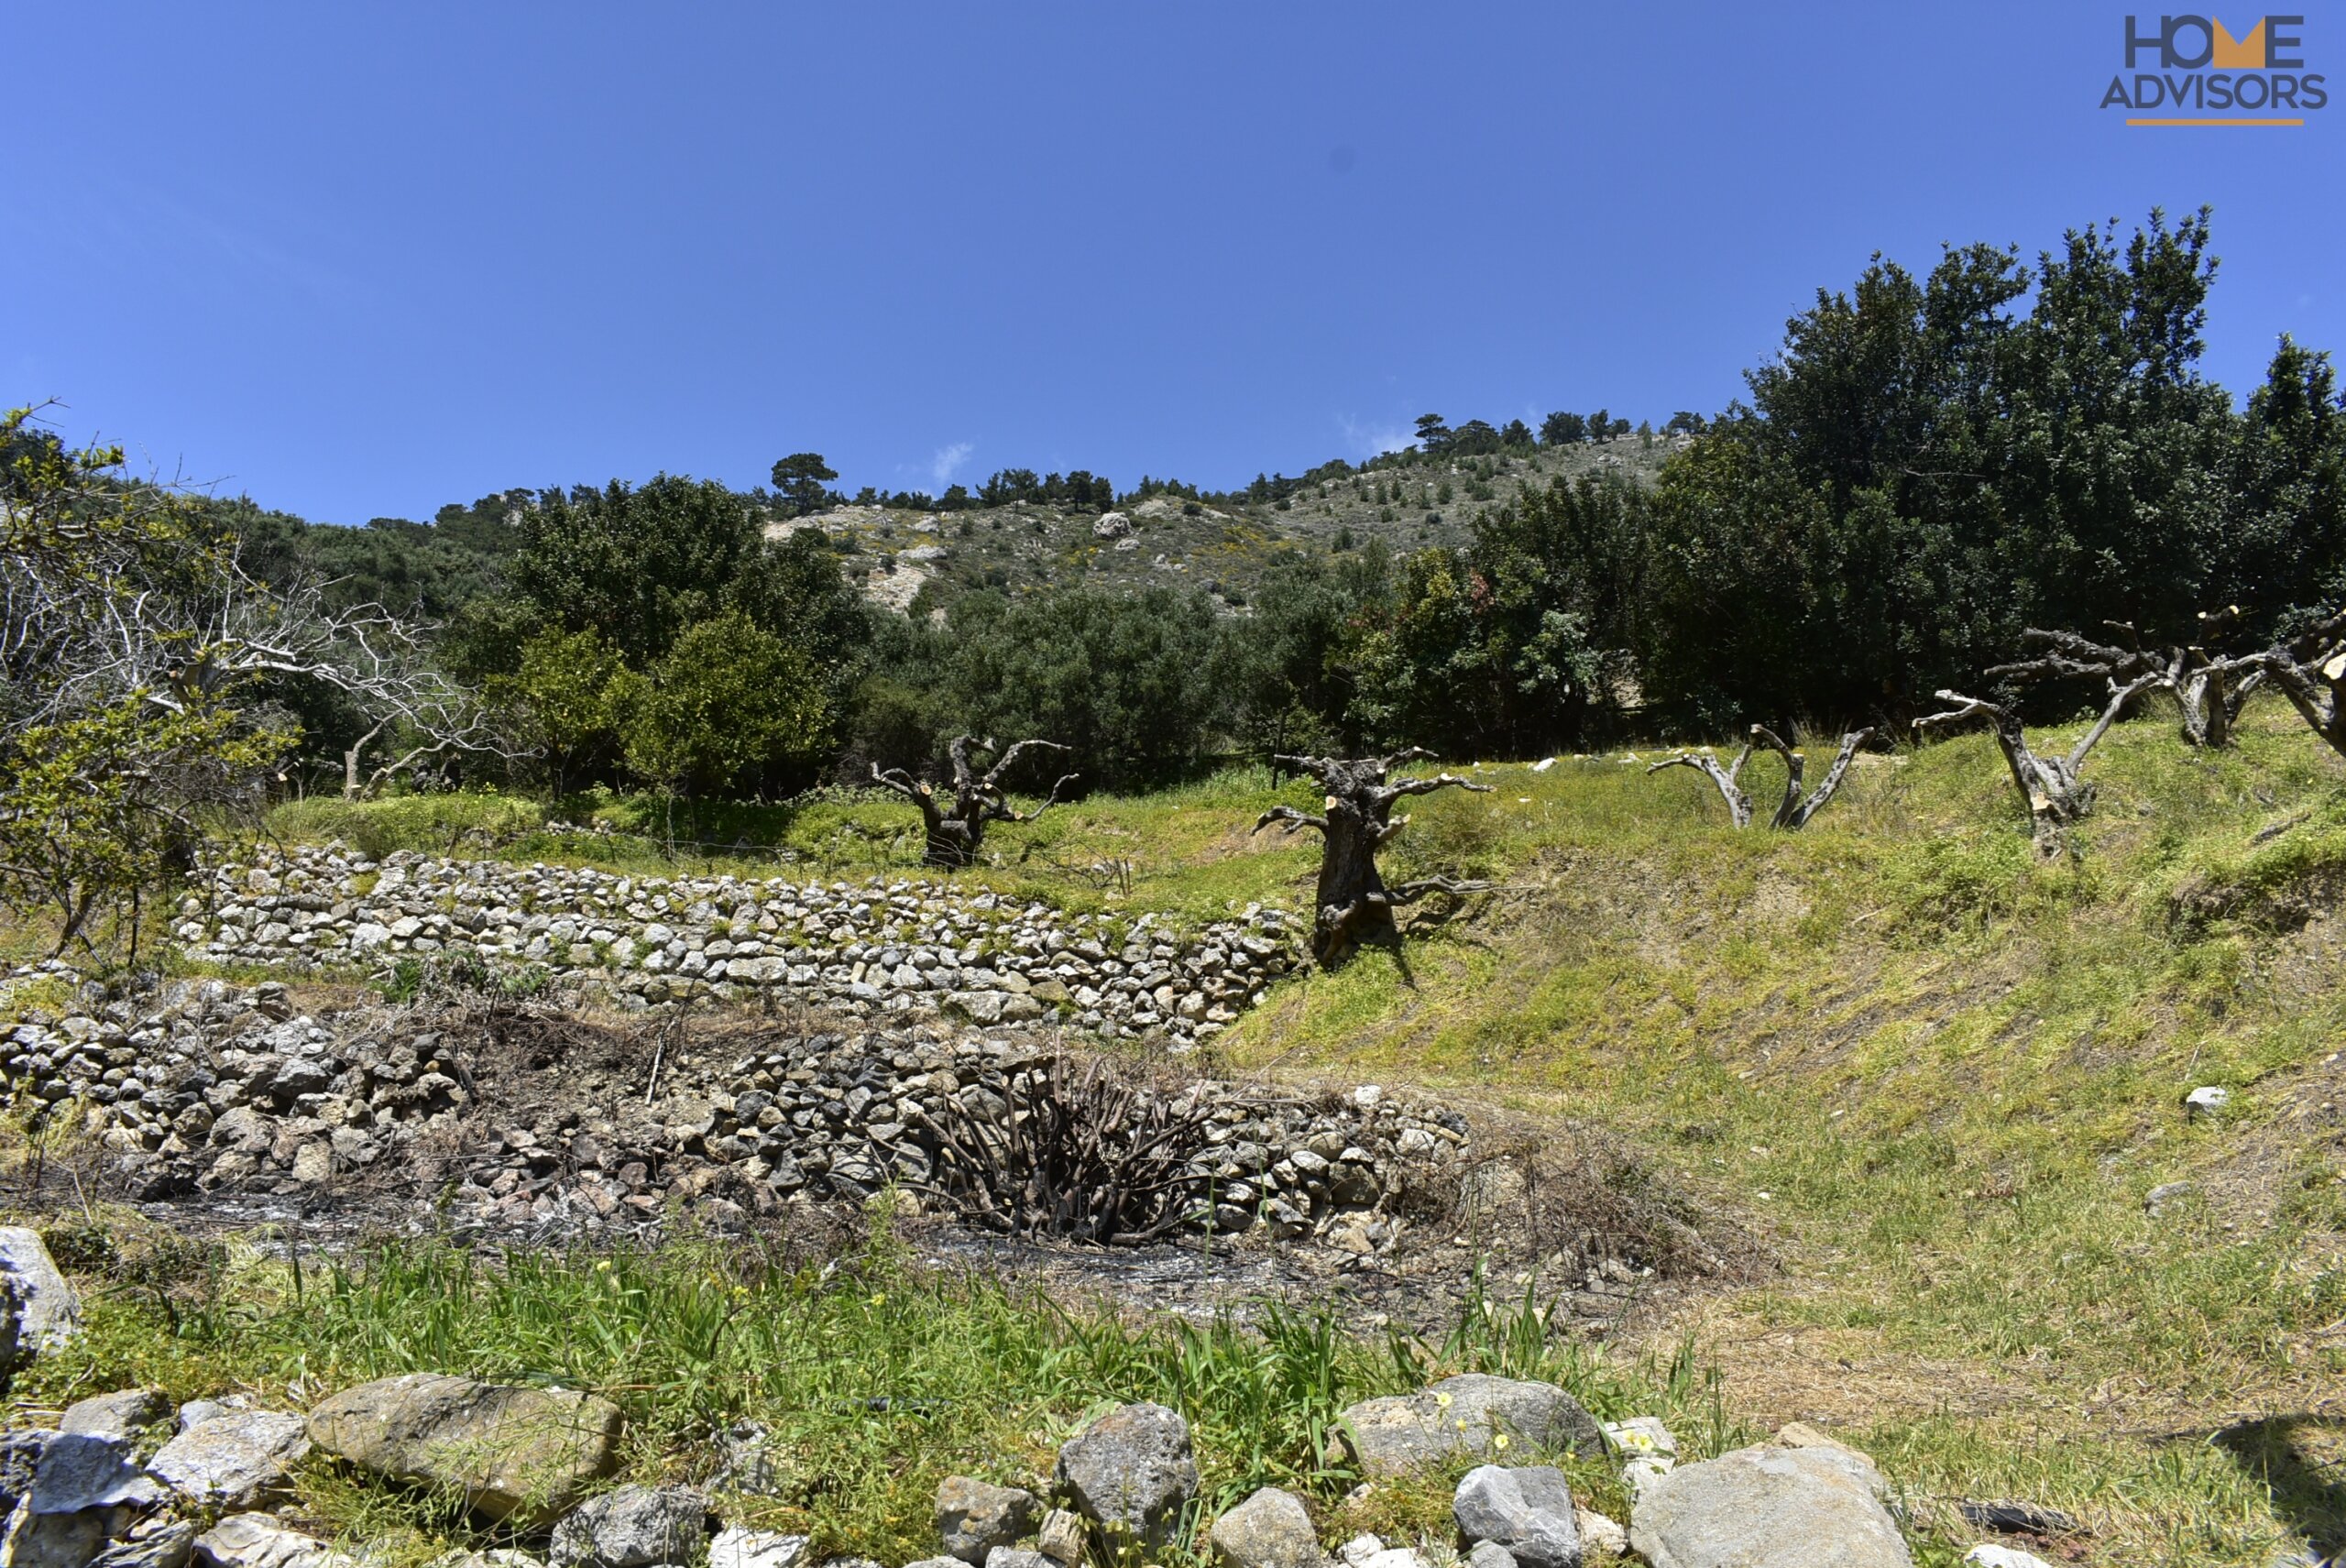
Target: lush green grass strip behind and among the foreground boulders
872,1377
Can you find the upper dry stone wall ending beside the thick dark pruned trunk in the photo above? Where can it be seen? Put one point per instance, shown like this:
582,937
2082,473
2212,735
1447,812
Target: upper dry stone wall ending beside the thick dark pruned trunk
872,949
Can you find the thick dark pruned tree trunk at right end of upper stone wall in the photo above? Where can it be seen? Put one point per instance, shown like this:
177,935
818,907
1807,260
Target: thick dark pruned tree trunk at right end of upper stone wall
1357,820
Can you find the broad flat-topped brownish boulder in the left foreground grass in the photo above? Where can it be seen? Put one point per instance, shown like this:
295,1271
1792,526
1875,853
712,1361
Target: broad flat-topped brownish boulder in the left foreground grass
517,1454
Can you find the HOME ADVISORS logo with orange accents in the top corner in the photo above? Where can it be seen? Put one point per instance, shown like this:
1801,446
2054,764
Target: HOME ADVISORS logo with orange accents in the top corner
2204,72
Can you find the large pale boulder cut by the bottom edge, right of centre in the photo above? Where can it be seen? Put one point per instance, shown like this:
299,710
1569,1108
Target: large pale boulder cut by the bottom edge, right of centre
1770,1508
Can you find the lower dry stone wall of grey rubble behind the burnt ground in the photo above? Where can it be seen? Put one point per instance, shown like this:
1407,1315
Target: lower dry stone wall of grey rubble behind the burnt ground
210,1088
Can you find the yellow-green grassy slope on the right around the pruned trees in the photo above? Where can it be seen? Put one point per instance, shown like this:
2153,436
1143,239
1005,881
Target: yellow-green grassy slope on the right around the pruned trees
1937,1074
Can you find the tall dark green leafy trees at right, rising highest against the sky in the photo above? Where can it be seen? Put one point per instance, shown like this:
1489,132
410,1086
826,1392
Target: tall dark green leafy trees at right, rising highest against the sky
1937,464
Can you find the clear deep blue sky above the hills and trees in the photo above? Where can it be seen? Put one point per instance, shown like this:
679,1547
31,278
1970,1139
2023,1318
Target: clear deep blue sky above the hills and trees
367,259
